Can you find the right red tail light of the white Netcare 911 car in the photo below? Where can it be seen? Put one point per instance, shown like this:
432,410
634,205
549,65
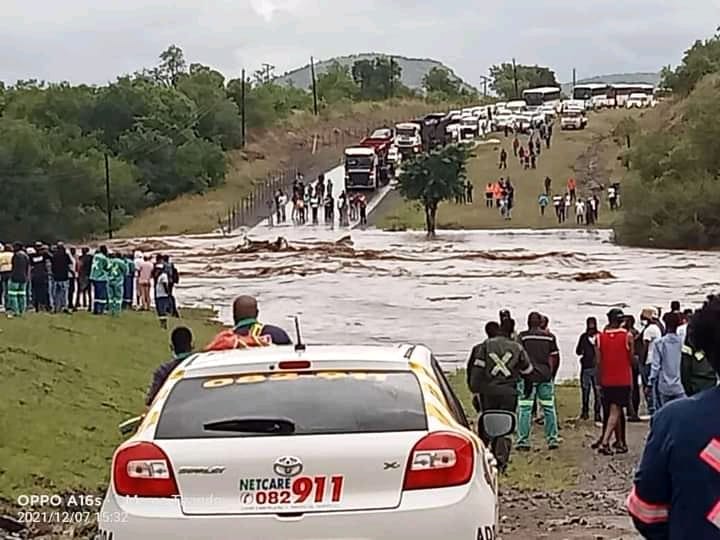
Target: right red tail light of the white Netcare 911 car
441,459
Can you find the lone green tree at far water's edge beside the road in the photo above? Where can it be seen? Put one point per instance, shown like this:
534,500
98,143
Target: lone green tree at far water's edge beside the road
435,177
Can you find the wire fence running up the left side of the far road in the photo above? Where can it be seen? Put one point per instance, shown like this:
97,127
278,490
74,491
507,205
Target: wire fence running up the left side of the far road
258,204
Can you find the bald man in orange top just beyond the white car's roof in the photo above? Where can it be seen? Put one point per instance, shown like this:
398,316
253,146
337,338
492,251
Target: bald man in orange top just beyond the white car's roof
247,331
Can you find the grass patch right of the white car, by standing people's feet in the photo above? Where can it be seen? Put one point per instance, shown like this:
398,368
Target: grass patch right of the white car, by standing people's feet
541,468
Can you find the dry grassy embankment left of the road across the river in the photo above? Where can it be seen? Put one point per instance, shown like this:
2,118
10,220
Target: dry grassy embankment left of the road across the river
288,144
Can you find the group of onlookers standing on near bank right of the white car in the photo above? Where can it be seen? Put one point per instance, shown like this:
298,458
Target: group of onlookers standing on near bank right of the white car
619,364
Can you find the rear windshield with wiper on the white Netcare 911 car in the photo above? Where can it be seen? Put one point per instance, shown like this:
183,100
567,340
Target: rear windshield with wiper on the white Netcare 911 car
310,403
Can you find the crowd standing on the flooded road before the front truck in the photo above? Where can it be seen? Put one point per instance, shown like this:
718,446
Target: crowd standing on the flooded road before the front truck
312,202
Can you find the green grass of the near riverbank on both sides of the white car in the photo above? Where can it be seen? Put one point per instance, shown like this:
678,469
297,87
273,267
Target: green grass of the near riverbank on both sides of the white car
68,381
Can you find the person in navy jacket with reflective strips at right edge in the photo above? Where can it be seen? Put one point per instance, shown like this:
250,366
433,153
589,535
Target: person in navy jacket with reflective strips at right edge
676,494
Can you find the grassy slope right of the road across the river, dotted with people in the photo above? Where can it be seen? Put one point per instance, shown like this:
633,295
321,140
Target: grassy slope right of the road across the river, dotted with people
589,155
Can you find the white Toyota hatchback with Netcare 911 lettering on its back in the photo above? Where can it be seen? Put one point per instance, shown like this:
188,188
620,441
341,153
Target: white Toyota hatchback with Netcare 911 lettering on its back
321,443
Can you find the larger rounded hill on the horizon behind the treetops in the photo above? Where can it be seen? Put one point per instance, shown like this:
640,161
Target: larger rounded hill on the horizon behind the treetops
413,69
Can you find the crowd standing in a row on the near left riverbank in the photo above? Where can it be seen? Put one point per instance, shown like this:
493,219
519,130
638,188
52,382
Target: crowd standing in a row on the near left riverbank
59,279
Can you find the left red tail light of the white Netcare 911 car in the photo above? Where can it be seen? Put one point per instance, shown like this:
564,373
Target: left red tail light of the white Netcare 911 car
142,469
